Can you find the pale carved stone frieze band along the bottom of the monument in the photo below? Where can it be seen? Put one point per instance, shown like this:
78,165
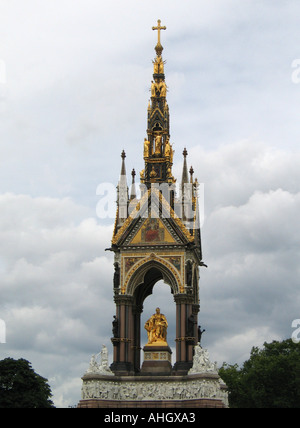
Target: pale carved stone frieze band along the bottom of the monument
194,391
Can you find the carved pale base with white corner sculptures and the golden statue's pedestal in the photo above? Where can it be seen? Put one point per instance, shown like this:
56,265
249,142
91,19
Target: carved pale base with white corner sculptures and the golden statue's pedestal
155,386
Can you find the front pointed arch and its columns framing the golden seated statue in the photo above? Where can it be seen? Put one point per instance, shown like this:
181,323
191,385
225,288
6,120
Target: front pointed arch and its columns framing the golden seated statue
140,283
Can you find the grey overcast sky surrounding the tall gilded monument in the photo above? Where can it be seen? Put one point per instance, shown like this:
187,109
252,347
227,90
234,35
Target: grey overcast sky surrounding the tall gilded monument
74,89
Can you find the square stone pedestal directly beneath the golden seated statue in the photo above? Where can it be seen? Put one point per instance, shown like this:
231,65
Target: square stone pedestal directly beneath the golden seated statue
157,360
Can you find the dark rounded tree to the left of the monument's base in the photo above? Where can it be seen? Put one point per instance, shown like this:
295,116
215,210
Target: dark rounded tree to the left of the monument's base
21,387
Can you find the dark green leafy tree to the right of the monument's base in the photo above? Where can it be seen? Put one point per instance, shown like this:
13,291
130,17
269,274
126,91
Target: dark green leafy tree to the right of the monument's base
269,379
